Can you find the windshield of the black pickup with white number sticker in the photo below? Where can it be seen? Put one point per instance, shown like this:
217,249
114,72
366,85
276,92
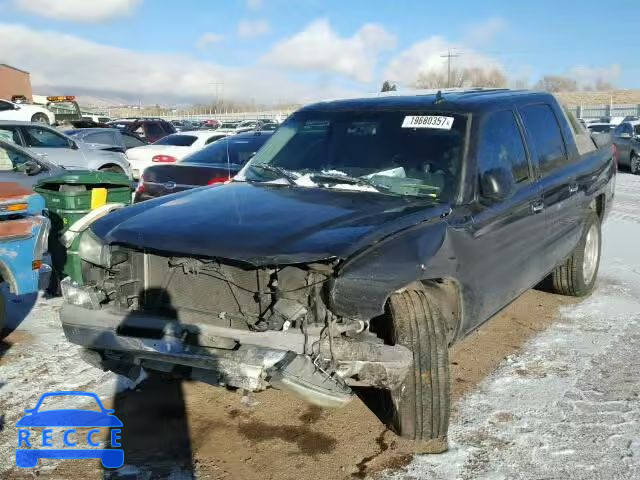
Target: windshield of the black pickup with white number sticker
395,152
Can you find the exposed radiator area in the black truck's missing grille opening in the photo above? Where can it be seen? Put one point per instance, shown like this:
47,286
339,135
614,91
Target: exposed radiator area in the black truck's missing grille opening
215,291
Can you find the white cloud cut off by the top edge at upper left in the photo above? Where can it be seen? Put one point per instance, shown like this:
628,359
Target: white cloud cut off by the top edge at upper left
78,10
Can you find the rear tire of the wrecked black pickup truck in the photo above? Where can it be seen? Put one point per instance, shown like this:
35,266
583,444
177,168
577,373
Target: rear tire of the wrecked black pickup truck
569,278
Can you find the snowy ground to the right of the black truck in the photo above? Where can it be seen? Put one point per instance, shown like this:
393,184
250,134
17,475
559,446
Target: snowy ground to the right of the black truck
567,406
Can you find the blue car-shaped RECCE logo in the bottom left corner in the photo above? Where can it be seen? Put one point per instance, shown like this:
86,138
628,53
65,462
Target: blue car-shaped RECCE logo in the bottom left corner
68,420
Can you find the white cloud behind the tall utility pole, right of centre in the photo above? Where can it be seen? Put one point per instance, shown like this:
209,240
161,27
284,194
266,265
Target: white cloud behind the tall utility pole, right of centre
426,57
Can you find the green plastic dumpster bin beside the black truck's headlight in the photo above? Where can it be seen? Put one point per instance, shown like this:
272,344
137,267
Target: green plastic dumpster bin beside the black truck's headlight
69,197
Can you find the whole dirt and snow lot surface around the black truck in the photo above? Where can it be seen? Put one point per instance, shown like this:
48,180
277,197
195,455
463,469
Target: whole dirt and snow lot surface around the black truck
549,389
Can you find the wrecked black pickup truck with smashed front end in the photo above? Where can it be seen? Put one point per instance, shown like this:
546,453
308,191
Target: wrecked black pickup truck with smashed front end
360,242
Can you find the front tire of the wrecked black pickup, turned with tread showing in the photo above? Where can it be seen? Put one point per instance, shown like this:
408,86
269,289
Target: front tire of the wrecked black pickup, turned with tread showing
418,409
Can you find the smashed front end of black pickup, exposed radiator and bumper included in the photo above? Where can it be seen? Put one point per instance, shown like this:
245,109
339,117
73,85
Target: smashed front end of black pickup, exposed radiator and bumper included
225,323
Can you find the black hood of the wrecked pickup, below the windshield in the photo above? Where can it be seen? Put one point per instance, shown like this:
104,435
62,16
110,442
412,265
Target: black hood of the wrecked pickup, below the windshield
264,224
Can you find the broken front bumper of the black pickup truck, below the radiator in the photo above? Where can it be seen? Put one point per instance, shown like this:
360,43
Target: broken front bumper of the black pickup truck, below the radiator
224,356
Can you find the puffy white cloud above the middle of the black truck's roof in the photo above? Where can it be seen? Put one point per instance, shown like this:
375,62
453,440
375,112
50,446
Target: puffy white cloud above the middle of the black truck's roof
319,48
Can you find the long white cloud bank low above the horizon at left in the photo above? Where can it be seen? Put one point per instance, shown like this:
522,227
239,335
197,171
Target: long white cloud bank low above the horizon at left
61,63
